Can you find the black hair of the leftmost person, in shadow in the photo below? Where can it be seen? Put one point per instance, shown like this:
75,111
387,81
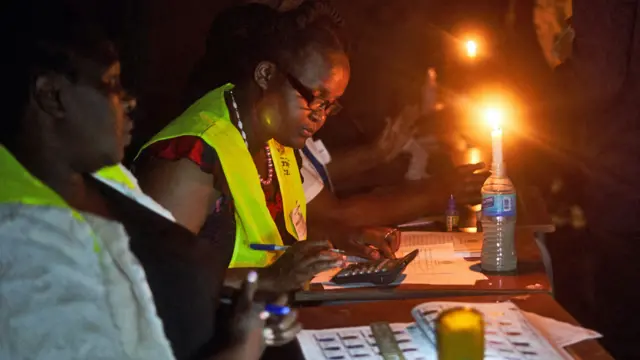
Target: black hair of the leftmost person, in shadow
42,36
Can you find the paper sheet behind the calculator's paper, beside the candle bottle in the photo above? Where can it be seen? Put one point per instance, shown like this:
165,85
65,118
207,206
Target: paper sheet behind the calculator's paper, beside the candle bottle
464,244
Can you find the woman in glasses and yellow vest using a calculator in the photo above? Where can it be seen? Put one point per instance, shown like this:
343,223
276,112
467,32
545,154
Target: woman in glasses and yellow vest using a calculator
226,168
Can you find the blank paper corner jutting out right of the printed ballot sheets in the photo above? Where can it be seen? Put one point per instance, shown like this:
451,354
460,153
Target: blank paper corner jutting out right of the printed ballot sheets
561,333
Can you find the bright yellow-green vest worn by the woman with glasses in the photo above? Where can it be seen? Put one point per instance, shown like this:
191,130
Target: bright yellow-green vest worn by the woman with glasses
209,120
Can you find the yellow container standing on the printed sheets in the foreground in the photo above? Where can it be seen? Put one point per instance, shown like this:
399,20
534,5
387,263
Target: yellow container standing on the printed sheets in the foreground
460,334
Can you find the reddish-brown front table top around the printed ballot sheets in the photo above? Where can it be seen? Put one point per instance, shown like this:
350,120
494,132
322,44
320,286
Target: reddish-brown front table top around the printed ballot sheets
359,314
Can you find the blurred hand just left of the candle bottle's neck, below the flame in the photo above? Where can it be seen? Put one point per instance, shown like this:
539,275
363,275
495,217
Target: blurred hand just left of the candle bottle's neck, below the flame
466,183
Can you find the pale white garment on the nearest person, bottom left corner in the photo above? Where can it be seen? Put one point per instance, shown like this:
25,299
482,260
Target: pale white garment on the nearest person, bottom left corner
62,299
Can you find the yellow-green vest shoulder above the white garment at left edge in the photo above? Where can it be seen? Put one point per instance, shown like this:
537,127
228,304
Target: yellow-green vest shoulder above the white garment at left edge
18,186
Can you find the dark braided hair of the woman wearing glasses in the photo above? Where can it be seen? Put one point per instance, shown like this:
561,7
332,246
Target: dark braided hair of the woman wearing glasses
242,36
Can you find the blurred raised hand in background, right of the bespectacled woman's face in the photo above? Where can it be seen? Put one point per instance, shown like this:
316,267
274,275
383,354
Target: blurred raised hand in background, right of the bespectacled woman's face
397,133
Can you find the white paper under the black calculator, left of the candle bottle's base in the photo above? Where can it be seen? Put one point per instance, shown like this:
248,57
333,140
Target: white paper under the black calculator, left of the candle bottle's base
435,264
